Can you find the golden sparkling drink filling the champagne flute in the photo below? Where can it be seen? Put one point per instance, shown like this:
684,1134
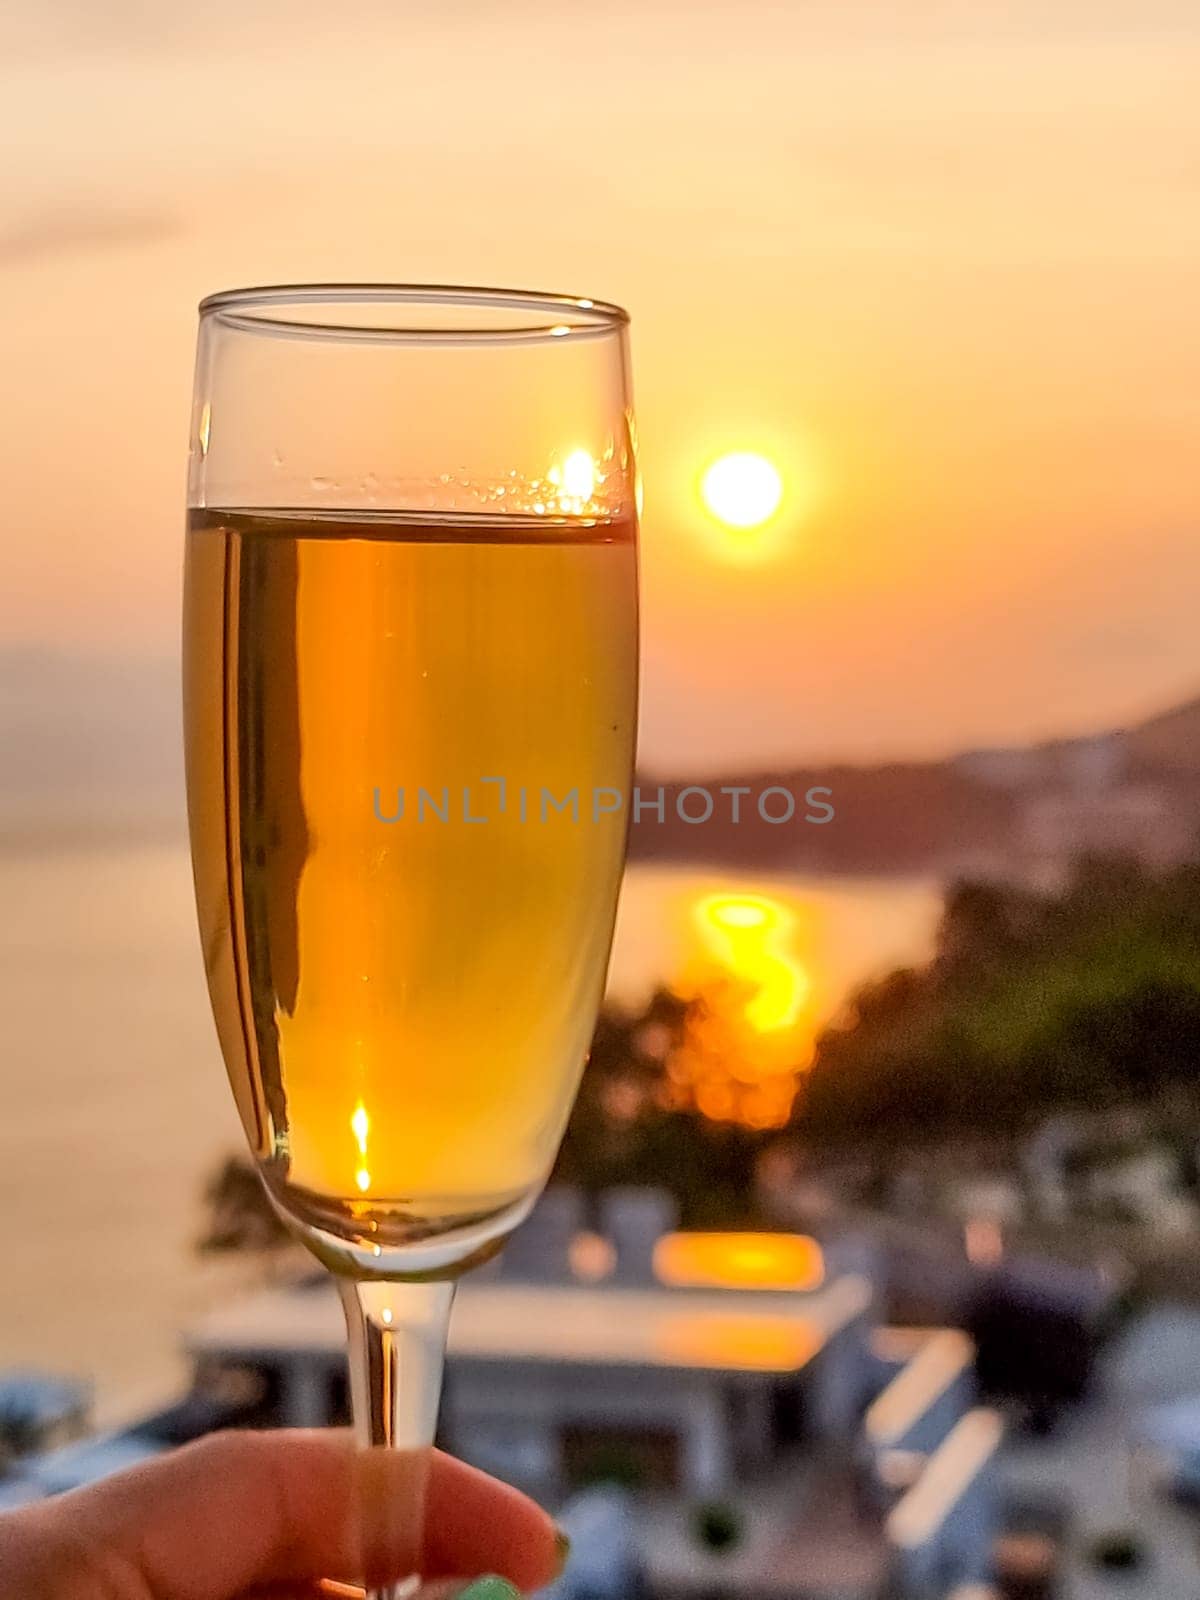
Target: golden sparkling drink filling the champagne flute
404,1006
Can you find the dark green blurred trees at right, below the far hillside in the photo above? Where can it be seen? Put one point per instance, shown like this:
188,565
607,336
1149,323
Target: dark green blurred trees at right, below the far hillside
1084,999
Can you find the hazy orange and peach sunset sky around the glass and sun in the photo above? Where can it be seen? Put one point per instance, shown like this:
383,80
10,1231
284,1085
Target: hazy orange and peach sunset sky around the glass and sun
938,262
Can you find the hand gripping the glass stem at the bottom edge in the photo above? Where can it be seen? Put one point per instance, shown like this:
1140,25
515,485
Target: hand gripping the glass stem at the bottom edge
241,1516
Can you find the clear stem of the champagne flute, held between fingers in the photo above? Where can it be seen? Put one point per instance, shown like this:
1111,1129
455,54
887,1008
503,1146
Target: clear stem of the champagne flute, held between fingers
398,1342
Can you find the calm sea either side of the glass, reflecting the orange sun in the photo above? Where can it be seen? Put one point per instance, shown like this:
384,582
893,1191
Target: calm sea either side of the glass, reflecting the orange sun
114,1108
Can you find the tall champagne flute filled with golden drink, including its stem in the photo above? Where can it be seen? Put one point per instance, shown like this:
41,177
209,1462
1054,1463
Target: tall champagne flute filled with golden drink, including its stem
410,682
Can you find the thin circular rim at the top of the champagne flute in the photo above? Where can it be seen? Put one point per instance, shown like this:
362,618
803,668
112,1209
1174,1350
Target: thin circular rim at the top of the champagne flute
540,316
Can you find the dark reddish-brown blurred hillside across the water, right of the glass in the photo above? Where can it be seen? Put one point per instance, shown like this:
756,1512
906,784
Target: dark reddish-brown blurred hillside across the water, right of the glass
1025,812
